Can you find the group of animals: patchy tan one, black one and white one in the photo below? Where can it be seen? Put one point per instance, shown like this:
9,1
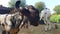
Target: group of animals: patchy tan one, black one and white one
21,17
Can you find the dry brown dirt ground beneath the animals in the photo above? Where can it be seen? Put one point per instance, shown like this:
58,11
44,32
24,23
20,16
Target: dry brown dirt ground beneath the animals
38,30
